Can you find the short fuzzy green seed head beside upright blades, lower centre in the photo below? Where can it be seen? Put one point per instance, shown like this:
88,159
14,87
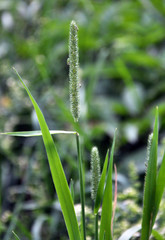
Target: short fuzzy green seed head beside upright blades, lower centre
95,172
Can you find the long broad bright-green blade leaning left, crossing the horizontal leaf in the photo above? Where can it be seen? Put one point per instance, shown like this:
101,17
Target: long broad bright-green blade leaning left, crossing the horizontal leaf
57,172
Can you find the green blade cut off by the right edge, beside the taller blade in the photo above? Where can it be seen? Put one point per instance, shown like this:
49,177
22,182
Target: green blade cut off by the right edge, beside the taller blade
160,185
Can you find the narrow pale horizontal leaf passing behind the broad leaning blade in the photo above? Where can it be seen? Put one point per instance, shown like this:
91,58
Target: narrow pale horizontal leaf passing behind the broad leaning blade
35,133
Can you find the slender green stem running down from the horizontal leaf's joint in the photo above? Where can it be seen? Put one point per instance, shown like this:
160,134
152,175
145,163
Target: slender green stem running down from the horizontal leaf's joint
82,194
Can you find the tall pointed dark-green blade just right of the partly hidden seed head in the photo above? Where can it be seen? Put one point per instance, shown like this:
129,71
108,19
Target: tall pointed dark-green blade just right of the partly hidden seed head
150,185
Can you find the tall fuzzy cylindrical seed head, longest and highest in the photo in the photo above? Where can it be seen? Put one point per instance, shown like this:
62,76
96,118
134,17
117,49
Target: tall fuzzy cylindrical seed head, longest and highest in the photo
73,71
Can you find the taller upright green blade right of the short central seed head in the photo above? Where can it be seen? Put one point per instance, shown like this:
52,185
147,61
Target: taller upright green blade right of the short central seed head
106,216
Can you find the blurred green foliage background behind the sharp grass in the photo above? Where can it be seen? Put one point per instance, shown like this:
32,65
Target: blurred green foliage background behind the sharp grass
122,72
